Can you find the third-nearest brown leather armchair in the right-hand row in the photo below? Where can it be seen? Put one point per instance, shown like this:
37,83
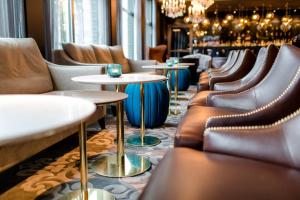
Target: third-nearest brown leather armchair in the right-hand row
263,64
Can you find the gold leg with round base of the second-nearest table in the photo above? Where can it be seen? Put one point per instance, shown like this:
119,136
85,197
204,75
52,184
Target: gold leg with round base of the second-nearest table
121,164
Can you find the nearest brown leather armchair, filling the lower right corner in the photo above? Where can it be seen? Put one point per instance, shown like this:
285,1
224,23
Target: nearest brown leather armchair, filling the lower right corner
256,162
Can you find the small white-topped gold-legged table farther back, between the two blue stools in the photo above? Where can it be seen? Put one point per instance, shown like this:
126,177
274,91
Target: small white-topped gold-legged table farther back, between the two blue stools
167,73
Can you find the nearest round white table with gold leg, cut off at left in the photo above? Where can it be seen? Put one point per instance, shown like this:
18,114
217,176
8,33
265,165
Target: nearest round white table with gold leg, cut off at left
48,115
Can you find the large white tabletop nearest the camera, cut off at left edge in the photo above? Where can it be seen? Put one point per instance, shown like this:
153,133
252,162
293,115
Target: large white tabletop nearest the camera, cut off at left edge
27,117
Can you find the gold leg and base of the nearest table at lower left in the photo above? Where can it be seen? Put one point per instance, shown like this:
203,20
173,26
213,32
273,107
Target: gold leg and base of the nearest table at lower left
85,193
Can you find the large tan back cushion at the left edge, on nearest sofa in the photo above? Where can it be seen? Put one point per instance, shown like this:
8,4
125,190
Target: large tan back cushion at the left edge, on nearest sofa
22,68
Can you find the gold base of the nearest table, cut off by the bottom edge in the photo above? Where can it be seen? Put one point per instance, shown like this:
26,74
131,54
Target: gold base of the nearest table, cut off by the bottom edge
93,194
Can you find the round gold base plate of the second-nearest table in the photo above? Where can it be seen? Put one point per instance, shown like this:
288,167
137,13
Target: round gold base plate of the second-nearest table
125,166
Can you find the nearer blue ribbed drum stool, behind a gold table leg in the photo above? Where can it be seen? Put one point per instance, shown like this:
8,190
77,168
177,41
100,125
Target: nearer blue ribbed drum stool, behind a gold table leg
156,106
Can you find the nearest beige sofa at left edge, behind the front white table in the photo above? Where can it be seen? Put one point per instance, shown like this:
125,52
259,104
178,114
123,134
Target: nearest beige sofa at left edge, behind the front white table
24,71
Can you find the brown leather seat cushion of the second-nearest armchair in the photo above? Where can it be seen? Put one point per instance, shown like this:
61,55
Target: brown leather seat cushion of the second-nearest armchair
191,128
